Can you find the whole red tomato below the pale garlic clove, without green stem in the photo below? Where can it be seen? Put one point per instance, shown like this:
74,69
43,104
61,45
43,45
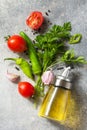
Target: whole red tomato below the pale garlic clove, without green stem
26,89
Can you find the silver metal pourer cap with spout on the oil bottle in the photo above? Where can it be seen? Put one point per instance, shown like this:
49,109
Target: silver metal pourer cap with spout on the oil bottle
63,80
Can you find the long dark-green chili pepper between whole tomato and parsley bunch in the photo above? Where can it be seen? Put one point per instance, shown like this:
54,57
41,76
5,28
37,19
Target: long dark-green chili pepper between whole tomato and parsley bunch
36,66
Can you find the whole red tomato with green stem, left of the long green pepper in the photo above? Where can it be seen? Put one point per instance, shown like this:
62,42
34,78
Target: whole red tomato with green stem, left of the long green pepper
16,43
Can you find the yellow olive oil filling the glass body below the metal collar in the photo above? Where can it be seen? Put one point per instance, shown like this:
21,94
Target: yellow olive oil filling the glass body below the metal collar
57,109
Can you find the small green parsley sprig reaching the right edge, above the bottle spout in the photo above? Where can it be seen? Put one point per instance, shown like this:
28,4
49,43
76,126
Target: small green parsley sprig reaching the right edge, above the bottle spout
70,58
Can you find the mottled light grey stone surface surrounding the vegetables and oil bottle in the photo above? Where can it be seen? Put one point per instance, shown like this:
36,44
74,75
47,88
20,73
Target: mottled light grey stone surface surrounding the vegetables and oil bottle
16,112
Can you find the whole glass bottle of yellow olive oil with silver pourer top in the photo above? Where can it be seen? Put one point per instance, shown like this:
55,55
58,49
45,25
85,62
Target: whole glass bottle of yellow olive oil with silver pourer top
54,105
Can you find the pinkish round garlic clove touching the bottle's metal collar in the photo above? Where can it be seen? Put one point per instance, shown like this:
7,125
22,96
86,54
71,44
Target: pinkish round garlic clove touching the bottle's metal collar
48,77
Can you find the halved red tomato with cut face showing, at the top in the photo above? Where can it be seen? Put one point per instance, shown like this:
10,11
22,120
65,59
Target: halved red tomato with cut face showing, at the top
35,20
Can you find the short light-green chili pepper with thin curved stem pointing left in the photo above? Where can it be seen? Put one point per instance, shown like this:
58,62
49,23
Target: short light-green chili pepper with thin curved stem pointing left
24,66
